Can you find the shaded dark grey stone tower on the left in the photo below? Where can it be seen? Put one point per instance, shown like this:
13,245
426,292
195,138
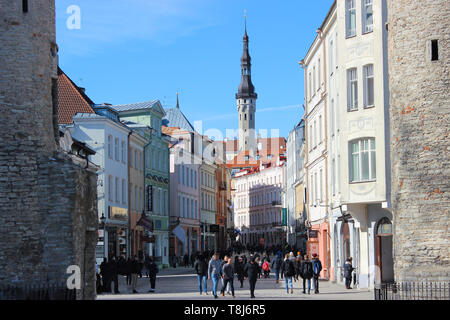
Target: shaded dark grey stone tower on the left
48,205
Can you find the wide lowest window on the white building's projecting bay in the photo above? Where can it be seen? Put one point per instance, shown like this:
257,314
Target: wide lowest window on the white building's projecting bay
363,163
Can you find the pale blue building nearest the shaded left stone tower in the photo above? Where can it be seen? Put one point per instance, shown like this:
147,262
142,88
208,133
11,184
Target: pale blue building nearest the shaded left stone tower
103,132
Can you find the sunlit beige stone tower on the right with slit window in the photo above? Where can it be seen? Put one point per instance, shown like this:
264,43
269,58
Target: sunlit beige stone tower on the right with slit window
420,140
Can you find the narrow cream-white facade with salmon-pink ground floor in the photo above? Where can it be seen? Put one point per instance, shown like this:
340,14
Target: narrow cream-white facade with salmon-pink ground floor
316,162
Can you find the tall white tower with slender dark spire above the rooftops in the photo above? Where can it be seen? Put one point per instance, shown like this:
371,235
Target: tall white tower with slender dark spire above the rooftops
246,102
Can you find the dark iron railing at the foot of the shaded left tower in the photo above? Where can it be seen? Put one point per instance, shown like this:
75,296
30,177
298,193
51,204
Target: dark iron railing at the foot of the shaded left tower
39,291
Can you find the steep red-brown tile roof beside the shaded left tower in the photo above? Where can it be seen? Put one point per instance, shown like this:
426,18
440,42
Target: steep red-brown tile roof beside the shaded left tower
71,99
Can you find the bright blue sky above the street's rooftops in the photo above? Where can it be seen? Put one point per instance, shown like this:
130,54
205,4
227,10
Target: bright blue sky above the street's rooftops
138,50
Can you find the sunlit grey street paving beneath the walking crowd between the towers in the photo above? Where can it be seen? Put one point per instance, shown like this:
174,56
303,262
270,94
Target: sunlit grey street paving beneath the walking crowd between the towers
181,283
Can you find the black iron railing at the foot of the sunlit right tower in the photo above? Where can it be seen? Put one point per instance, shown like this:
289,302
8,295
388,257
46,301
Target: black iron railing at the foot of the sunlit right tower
413,291
